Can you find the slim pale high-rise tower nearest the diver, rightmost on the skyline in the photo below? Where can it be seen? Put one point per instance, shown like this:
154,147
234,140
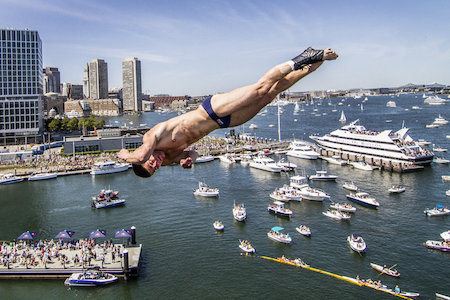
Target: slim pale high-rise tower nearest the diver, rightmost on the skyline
132,87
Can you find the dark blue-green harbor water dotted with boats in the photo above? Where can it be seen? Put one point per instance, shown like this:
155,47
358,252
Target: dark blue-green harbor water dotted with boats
185,258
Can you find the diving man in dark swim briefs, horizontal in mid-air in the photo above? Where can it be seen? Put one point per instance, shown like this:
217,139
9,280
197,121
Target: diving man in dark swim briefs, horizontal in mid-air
166,143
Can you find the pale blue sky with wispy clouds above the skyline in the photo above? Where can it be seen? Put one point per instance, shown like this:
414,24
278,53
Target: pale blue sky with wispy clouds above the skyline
209,46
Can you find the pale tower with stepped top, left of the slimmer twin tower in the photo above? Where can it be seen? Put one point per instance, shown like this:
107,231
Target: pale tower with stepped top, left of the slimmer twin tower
95,79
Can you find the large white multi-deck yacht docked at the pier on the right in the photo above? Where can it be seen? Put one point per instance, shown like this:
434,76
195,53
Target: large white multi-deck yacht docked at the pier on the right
387,146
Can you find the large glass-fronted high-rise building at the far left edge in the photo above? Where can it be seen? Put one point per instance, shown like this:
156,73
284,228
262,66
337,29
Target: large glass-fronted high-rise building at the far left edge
20,86
